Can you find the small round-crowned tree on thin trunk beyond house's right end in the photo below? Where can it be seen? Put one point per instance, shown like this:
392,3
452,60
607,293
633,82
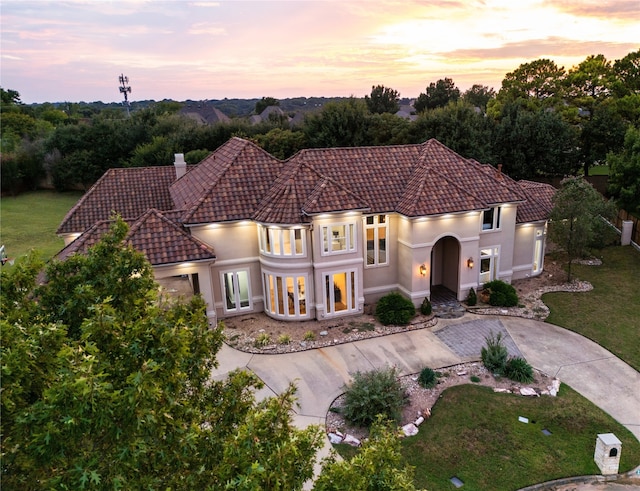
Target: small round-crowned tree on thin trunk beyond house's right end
576,220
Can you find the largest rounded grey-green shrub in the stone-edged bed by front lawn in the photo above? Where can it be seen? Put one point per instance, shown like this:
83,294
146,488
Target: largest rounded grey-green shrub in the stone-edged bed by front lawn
372,393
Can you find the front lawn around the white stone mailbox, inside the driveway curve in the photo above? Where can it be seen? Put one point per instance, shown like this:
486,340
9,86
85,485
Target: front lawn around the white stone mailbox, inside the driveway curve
474,433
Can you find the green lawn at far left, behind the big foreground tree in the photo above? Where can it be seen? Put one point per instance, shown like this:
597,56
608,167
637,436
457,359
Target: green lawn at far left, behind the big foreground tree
29,221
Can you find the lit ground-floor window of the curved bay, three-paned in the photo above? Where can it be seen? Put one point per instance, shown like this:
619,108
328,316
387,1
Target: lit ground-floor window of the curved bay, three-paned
285,295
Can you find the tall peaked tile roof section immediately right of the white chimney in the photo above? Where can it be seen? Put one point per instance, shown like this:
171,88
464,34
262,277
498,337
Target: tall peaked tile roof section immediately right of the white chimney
227,185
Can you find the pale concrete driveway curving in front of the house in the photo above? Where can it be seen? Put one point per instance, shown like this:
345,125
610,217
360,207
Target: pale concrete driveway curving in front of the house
320,374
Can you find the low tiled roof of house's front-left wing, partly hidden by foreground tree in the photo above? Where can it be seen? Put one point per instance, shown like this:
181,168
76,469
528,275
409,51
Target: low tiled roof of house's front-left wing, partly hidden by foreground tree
160,238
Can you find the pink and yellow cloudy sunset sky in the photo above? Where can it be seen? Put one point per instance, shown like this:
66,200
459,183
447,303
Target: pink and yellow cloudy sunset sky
75,50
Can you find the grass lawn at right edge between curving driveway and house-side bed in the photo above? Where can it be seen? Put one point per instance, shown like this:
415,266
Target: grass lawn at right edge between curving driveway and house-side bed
609,313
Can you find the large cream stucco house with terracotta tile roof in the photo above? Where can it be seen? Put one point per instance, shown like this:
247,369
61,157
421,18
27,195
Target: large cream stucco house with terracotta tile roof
324,232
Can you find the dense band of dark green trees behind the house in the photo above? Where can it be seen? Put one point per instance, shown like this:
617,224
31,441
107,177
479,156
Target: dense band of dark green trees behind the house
544,121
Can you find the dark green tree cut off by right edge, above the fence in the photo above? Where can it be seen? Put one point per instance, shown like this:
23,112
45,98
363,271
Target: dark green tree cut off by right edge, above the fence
624,174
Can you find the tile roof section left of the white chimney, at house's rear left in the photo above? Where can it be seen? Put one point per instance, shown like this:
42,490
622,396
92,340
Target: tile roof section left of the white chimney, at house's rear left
128,192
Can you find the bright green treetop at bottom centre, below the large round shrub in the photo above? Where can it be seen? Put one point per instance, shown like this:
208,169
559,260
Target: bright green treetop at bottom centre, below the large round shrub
376,466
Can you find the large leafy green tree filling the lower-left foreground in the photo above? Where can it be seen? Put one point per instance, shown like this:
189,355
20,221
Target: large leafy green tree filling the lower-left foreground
125,398
